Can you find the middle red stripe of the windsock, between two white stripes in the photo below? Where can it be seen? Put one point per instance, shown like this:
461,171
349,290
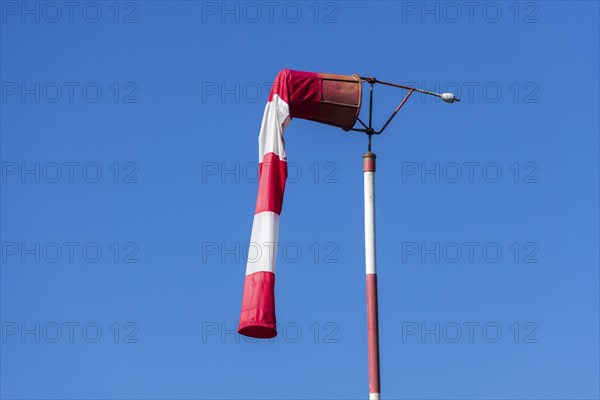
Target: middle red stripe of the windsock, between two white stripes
272,174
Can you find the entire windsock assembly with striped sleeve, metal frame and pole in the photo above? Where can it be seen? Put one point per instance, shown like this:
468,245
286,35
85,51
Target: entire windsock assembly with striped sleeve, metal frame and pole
333,100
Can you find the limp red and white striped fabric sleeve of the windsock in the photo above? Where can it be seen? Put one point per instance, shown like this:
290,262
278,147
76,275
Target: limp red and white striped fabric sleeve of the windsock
294,94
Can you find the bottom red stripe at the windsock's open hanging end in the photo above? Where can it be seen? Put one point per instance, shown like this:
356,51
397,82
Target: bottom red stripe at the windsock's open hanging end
257,318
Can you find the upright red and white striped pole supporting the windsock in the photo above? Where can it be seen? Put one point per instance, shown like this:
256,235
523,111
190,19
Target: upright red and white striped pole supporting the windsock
371,269
